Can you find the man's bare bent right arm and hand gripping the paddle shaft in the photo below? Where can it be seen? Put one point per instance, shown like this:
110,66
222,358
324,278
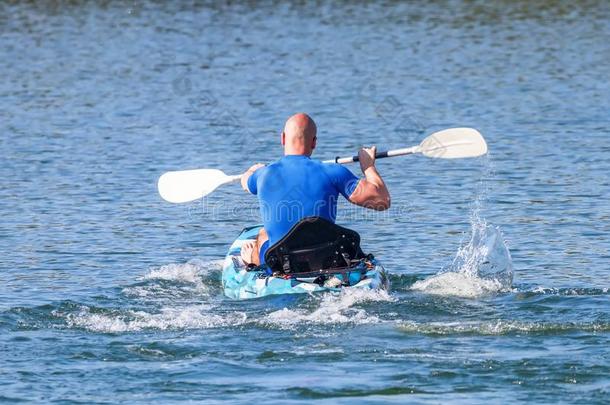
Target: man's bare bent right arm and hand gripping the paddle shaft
371,192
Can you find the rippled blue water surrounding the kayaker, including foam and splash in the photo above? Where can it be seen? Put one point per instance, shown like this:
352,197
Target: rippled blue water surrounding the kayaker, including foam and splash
109,294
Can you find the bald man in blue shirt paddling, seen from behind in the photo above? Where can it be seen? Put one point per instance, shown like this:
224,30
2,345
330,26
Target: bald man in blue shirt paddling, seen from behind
296,186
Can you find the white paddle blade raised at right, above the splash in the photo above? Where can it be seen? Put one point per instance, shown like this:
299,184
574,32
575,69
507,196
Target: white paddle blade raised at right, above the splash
454,143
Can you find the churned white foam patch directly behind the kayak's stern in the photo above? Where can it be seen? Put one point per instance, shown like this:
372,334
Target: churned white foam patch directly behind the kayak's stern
334,308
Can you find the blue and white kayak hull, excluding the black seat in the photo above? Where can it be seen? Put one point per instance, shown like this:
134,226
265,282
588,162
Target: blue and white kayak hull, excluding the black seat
241,283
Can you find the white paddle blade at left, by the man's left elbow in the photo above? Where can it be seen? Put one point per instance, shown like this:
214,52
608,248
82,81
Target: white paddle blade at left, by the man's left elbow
189,185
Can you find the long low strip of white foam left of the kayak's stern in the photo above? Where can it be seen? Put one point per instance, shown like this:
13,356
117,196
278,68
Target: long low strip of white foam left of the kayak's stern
191,317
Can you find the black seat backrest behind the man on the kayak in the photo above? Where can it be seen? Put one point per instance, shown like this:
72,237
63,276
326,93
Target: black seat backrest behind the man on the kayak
314,244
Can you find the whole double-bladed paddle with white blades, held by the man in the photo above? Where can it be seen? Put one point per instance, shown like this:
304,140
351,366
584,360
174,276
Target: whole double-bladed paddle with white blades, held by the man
189,185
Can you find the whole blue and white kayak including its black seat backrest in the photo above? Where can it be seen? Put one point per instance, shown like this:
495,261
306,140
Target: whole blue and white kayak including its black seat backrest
315,256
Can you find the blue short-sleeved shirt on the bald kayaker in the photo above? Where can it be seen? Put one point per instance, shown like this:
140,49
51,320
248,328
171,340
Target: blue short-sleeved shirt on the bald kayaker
296,187
